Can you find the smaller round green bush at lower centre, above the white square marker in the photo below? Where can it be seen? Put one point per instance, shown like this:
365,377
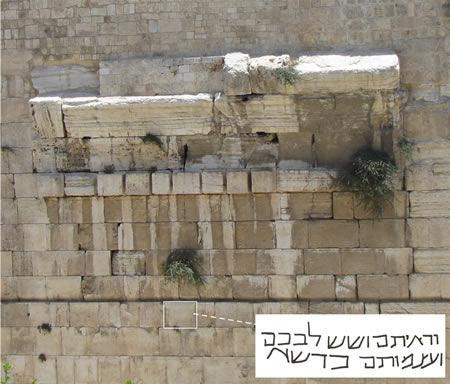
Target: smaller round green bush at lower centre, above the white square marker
182,265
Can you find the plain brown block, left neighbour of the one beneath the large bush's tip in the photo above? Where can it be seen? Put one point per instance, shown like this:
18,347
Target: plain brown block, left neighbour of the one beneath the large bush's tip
336,233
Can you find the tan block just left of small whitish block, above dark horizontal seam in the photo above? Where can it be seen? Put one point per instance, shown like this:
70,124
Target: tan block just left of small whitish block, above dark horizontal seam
316,287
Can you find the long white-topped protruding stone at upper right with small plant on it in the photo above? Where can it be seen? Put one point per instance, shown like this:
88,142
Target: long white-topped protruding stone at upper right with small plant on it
334,73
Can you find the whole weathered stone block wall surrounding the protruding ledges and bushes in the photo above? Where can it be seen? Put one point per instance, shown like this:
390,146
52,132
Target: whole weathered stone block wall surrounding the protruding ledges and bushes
82,249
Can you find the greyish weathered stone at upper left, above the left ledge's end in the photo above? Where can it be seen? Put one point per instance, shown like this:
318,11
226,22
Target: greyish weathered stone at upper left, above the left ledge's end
65,80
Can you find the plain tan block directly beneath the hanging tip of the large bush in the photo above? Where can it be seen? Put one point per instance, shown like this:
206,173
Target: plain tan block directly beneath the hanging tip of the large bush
382,233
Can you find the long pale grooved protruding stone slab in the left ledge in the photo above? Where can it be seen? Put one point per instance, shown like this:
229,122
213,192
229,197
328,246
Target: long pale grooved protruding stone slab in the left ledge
138,116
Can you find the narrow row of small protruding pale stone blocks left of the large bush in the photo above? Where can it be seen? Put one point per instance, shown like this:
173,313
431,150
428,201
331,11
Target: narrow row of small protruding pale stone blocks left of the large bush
166,182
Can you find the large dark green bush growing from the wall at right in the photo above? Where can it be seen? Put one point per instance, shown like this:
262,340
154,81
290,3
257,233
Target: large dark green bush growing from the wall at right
370,175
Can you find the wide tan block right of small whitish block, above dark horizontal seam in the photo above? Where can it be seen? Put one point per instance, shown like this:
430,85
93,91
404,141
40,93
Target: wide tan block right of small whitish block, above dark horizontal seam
382,287
